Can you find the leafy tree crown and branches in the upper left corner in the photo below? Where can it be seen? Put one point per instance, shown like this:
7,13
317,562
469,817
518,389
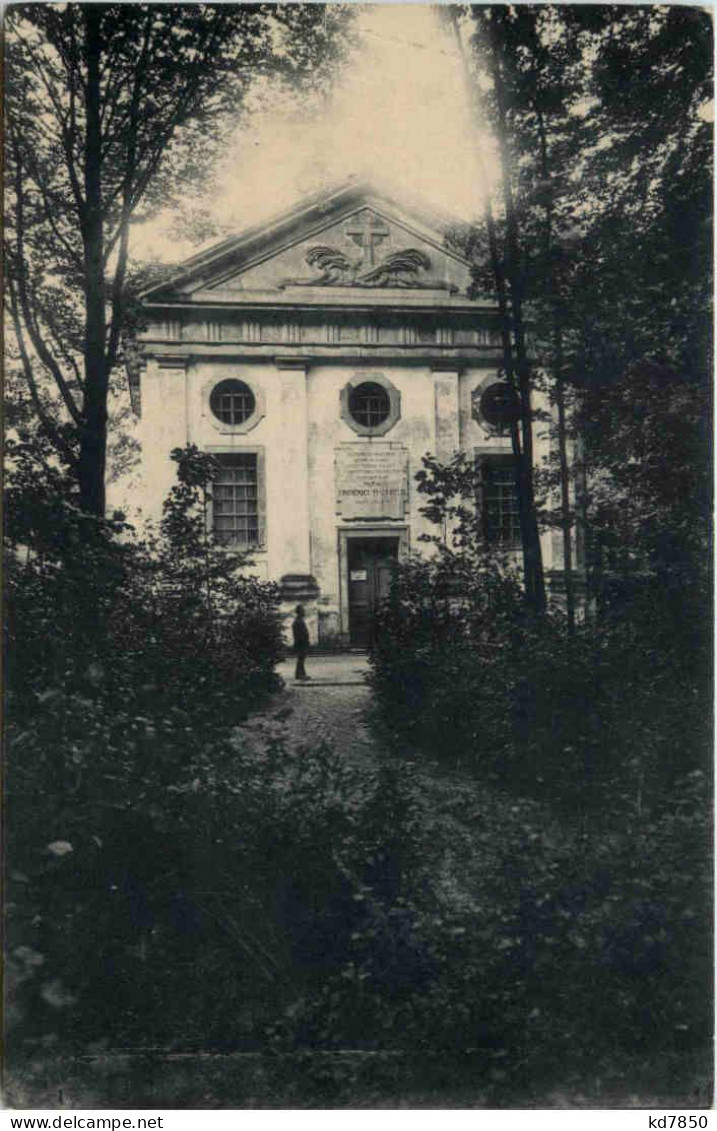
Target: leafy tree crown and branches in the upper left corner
115,113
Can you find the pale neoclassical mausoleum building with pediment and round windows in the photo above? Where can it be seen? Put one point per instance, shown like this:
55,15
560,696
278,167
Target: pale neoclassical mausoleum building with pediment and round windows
319,358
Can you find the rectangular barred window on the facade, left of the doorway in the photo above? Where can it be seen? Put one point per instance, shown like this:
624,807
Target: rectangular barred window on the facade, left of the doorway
236,510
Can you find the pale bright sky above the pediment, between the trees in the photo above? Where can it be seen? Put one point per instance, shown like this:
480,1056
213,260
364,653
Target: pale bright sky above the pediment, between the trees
398,116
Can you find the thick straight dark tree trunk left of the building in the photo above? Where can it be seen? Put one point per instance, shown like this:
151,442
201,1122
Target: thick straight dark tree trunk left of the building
94,424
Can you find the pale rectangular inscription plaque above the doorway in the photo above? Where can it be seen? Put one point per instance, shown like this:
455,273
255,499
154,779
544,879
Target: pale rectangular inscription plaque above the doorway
372,481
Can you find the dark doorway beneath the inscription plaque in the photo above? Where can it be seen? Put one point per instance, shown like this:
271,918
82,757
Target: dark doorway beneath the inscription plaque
372,563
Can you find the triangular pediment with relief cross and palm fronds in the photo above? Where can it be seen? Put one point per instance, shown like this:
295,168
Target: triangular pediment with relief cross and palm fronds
352,241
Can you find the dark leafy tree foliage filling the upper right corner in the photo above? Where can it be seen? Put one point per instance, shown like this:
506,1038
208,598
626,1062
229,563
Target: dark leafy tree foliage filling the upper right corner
601,223
